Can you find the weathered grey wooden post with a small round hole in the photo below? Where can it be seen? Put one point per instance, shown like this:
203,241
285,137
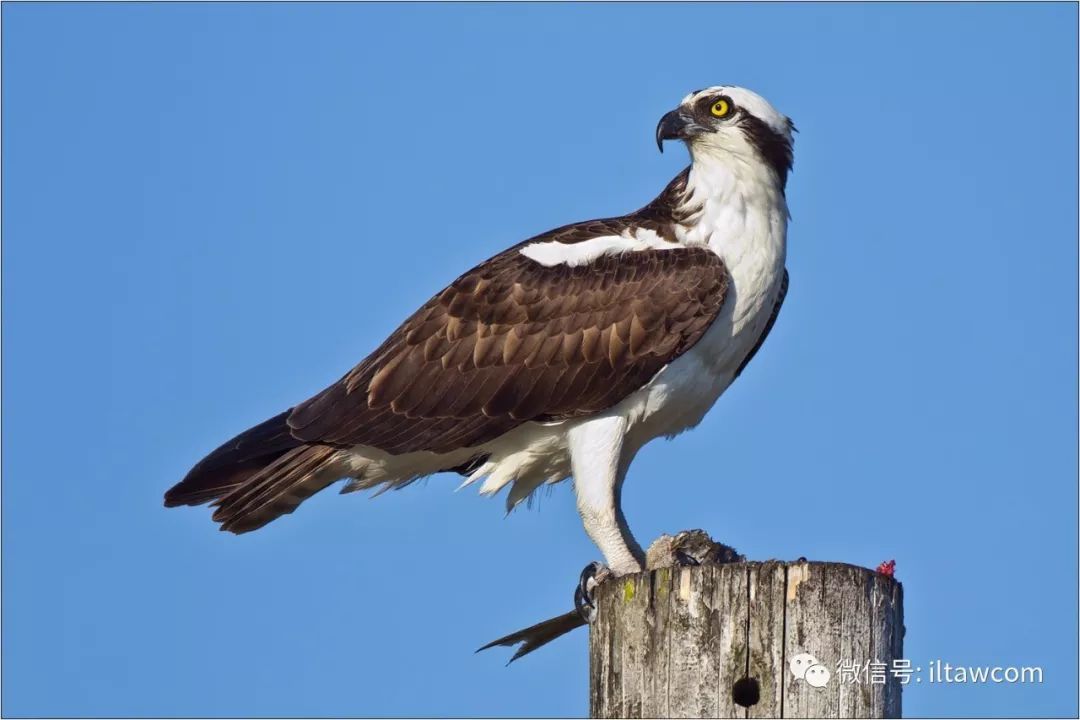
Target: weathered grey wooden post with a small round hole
748,641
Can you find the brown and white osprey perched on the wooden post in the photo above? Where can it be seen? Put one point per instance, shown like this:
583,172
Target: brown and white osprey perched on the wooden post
558,358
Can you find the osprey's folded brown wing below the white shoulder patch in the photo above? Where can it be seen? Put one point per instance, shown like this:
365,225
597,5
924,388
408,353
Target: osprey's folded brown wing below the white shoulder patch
512,342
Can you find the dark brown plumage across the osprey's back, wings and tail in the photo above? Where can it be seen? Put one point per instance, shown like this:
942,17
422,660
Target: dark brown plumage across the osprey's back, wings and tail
507,343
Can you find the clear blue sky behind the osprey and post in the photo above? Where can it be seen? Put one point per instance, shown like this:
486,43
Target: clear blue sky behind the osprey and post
211,212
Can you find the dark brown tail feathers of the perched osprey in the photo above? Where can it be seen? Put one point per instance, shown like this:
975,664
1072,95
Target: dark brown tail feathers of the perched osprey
256,478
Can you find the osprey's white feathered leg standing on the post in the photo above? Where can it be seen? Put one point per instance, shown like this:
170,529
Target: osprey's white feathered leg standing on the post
599,470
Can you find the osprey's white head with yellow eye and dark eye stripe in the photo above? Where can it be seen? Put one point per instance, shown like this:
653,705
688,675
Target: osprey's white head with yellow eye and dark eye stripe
728,121
